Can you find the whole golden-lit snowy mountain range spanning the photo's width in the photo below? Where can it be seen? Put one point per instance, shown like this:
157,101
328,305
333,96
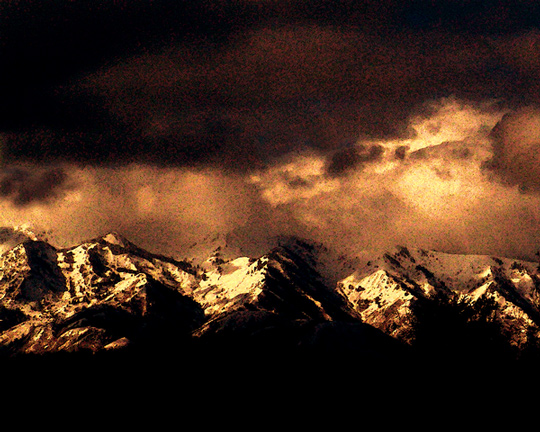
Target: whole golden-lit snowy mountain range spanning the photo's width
107,295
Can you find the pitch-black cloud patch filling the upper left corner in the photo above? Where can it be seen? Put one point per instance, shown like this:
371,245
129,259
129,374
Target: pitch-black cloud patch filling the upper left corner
43,44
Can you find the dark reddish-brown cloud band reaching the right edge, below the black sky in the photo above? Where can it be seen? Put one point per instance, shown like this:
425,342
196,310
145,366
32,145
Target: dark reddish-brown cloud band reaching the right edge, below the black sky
270,90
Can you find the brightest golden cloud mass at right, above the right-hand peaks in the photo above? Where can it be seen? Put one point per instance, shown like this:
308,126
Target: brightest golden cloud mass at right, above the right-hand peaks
440,196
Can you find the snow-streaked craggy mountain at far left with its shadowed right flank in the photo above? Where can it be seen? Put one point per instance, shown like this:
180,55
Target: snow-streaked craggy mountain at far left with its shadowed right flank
91,296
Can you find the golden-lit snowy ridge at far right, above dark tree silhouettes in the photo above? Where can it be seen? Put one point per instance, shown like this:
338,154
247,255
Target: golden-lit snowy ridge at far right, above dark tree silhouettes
384,288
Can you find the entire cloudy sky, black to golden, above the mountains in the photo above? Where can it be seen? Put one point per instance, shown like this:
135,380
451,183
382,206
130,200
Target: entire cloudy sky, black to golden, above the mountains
359,124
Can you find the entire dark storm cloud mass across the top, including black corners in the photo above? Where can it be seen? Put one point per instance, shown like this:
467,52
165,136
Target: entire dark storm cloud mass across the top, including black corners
234,83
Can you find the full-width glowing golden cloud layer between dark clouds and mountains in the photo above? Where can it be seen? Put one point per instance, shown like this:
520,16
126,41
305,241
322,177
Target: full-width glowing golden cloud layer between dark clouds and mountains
443,195
